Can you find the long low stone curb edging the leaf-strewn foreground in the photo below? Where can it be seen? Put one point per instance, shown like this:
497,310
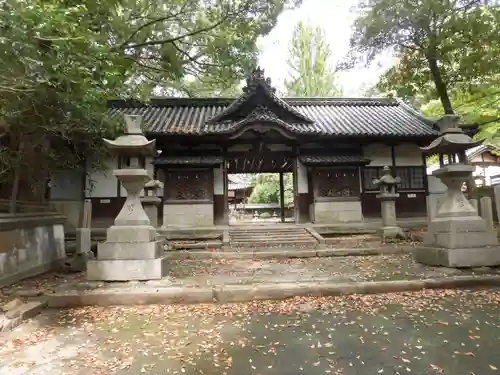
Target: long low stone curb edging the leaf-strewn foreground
266,291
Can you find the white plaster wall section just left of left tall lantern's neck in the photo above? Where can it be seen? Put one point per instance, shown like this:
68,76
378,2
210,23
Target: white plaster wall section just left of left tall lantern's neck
102,184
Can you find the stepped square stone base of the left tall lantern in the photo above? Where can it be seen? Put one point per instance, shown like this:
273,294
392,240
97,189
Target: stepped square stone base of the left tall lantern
129,253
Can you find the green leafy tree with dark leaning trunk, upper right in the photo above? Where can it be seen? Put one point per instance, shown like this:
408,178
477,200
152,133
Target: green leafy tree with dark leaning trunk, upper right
439,44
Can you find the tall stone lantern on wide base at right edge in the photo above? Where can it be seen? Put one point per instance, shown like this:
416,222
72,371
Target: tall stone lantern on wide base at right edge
456,236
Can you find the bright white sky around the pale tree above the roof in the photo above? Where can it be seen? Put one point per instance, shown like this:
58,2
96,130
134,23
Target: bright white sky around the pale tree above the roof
336,18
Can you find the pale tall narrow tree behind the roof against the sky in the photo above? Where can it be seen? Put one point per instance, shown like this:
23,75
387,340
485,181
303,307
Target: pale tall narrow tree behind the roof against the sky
312,75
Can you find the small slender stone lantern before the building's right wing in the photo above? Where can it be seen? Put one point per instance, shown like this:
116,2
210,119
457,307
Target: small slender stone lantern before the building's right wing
387,184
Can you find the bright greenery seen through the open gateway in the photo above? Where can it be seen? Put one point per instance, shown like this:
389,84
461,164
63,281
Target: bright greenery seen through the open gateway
267,189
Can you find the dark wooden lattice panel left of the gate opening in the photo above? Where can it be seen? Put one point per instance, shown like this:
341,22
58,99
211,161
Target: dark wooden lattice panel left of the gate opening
189,185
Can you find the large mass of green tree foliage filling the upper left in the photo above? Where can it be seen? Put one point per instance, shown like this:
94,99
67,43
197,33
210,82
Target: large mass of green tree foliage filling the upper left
61,60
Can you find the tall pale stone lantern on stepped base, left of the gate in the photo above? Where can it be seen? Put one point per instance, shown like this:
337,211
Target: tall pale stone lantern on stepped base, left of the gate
131,251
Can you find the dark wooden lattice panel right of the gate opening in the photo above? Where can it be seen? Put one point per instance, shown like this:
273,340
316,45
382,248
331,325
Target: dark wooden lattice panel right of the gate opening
336,182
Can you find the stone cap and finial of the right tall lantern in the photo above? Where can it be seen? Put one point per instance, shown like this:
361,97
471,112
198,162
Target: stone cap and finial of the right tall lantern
451,138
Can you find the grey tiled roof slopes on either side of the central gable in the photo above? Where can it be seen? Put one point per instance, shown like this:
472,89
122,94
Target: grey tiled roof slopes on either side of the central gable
330,116
